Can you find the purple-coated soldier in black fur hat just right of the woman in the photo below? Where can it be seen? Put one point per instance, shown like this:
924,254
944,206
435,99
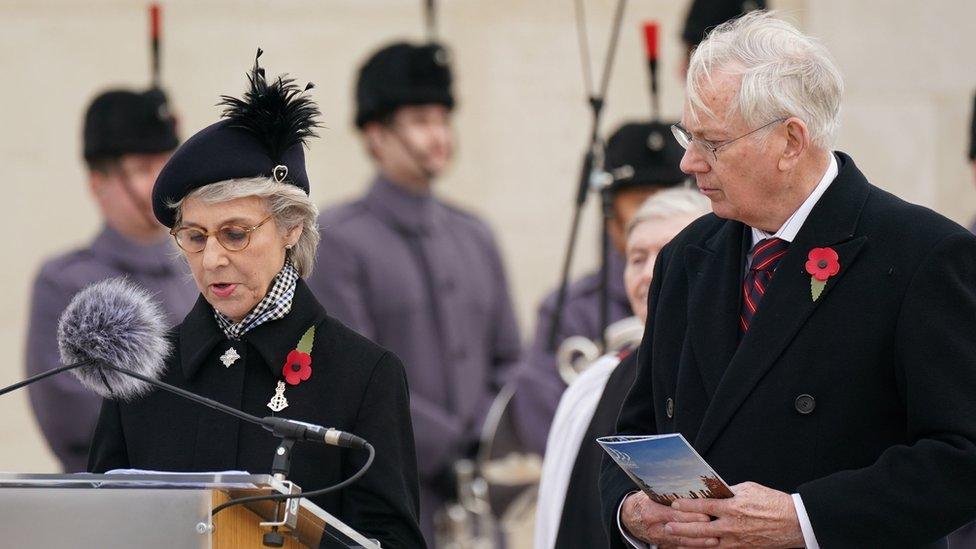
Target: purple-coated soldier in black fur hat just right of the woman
416,275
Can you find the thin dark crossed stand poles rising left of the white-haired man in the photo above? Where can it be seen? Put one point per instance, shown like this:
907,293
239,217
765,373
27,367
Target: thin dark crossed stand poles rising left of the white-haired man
590,179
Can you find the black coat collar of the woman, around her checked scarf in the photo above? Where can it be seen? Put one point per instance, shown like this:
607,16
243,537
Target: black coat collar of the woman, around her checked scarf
199,332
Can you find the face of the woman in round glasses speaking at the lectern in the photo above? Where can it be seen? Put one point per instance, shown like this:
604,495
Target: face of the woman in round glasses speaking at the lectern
233,282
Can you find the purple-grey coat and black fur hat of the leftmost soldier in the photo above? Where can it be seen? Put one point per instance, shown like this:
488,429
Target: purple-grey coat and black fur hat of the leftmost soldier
118,122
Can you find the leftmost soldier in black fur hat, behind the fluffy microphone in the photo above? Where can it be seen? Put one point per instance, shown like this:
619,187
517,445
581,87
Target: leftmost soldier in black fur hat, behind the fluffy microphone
128,136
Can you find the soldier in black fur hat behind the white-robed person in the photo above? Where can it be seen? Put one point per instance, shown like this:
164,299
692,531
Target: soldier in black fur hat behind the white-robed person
642,158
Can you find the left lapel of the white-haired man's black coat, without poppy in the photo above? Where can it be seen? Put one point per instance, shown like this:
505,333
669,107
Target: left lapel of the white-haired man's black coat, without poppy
713,300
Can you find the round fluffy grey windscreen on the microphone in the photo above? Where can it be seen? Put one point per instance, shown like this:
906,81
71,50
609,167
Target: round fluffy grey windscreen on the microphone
114,322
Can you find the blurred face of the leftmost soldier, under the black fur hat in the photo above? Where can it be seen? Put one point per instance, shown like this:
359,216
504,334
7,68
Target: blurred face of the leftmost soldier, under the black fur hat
124,194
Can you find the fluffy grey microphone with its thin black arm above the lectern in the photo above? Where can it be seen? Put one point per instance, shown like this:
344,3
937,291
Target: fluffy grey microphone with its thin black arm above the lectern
112,337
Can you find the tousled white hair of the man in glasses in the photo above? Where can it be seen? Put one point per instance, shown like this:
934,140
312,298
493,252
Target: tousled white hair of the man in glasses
784,73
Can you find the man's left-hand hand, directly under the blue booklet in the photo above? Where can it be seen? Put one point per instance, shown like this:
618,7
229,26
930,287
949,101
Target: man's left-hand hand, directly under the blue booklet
645,520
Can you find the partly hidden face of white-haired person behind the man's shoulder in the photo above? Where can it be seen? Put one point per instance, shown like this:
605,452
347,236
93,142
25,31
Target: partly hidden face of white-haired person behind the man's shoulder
643,244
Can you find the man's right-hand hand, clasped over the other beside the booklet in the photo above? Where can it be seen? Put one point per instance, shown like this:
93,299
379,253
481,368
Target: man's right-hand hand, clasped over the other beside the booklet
756,517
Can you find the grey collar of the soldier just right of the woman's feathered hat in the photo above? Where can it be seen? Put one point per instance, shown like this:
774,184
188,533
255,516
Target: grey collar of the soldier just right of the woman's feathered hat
406,211
